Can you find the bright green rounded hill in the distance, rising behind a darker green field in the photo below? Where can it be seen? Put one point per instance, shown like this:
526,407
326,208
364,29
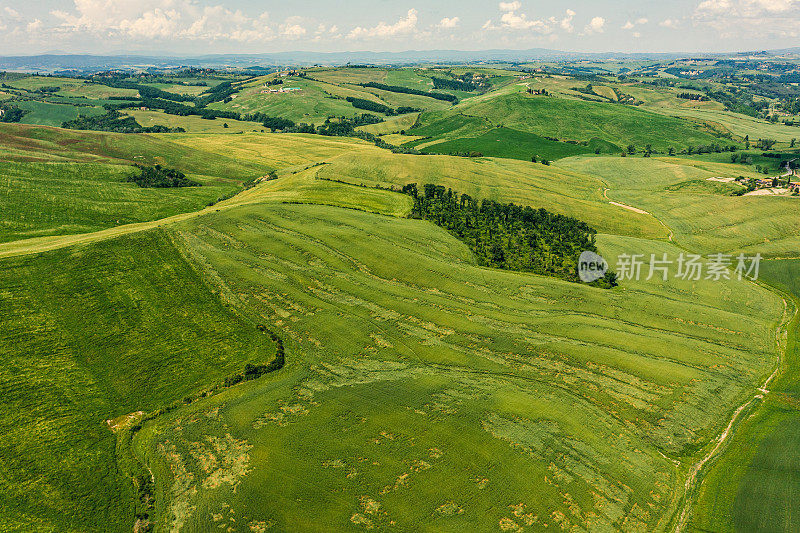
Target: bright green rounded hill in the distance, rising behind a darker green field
577,120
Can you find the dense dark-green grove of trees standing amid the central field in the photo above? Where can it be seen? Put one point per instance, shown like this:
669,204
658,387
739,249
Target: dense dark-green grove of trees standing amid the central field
508,236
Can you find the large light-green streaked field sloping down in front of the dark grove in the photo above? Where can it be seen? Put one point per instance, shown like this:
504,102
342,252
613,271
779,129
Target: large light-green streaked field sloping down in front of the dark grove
424,390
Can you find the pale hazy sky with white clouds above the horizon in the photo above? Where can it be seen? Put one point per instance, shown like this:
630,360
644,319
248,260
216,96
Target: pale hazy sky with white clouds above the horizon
249,26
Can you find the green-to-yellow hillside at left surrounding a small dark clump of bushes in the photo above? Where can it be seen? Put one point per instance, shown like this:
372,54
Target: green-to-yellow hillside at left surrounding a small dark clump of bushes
49,186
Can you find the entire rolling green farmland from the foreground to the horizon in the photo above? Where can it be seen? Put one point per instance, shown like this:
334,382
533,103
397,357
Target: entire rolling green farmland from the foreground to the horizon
284,344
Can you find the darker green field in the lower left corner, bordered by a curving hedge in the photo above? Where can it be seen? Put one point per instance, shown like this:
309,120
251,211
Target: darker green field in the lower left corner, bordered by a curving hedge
89,334
